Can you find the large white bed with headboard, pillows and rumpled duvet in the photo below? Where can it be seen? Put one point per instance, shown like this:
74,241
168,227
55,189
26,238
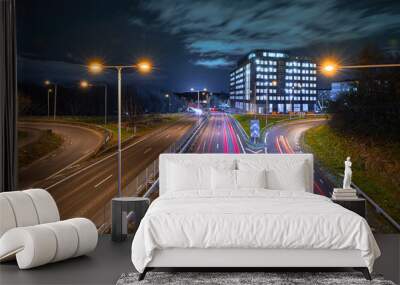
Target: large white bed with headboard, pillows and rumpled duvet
246,211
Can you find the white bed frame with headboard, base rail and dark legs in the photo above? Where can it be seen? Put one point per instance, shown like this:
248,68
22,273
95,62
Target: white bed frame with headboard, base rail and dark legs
245,258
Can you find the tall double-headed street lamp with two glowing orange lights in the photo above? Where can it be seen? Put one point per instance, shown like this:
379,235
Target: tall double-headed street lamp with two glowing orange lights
97,67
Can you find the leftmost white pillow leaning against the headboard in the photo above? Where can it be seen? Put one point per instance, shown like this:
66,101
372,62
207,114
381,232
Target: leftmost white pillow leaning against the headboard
184,178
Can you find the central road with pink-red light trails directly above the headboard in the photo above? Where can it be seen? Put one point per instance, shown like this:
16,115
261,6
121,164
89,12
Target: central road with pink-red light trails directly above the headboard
218,136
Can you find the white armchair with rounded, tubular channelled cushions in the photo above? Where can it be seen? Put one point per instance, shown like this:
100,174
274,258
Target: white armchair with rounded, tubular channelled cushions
31,230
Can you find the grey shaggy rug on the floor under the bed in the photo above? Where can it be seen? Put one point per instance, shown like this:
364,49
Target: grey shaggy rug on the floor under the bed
244,278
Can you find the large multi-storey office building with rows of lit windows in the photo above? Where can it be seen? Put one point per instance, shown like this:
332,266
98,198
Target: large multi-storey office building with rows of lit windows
285,83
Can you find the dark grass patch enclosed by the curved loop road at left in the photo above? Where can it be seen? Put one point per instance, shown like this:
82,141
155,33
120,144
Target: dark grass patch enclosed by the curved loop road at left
47,143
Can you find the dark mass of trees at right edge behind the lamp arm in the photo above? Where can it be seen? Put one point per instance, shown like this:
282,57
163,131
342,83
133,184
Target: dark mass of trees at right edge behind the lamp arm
372,108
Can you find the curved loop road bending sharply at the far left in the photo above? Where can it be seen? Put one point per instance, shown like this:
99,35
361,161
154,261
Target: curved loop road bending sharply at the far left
79,143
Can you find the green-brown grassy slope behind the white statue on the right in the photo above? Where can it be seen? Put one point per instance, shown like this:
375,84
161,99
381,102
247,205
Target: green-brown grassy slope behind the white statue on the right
376,164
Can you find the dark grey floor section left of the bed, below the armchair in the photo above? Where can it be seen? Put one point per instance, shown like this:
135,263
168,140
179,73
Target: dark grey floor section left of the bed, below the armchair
103,266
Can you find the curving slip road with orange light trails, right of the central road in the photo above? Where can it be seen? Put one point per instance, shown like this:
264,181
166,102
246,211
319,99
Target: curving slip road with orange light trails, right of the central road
285,138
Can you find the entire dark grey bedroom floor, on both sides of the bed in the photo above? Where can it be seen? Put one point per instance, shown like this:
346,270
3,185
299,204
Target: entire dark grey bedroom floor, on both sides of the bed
110,260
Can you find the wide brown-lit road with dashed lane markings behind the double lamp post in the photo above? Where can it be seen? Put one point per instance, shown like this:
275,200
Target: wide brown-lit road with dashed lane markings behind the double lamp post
86,189
